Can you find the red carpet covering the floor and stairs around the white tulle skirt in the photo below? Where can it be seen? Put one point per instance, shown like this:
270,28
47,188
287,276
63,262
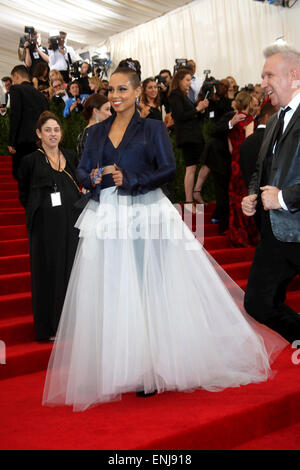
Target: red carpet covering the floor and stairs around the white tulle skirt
263,416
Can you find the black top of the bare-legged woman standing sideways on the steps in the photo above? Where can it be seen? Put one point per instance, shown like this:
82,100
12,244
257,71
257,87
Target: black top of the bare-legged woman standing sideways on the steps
186,119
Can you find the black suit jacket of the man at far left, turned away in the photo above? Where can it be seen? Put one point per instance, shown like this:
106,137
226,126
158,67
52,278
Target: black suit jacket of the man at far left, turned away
26,105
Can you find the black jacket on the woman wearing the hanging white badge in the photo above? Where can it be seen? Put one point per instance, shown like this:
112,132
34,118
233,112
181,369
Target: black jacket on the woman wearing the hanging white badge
34,177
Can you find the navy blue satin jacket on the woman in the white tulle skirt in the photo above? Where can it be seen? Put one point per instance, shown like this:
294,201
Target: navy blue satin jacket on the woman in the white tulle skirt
145,156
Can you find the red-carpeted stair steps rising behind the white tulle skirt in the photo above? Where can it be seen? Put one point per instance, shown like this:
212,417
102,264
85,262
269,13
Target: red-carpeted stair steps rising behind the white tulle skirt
23,354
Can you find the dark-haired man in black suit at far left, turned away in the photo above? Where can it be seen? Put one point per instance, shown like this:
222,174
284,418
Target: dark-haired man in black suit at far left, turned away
26,105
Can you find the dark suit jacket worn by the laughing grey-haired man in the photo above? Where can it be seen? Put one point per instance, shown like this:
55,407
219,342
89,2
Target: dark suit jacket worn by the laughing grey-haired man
285,175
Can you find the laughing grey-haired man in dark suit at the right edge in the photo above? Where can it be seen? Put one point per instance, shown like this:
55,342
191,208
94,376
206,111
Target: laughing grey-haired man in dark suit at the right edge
275,190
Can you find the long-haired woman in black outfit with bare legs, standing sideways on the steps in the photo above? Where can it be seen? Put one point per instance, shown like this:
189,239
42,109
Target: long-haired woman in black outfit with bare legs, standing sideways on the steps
187,130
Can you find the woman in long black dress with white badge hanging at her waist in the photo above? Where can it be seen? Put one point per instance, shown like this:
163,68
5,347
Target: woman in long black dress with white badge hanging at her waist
48,190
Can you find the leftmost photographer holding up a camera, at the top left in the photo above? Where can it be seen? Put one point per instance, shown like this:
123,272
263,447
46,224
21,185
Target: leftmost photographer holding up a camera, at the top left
33,52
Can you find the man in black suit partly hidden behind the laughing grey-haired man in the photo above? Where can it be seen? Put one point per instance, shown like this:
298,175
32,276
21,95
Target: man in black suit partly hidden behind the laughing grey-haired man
249,149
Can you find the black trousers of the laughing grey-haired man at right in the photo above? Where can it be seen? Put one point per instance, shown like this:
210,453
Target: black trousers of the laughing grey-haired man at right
275,264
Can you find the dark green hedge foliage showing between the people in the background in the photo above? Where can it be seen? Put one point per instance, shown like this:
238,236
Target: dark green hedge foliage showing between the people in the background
74,124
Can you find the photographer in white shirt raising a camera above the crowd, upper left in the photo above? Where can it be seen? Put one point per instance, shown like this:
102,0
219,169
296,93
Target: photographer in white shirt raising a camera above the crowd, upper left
61,56
